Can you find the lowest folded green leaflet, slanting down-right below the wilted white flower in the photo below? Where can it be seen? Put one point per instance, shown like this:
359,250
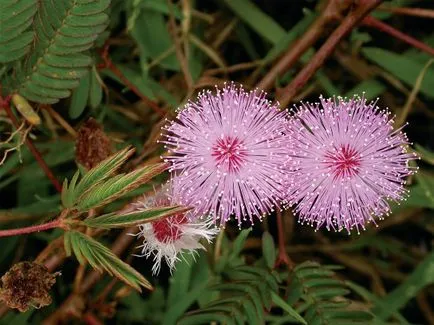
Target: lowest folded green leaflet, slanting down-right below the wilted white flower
101,258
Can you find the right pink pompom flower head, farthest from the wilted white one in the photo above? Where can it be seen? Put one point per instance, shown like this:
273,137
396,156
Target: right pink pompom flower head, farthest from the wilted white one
348,163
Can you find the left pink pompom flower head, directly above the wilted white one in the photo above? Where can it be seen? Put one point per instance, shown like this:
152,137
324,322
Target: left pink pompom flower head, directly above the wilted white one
230,153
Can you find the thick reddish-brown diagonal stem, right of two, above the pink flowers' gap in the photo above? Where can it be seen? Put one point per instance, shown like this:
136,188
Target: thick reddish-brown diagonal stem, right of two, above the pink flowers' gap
352,19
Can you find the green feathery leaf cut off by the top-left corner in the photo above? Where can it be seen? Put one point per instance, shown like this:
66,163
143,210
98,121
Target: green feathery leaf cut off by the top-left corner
16,17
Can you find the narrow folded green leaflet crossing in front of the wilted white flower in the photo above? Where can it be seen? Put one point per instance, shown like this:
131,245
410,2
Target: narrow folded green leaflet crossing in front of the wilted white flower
111,220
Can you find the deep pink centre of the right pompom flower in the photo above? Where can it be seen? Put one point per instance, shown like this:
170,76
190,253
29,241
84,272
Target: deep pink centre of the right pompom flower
344,162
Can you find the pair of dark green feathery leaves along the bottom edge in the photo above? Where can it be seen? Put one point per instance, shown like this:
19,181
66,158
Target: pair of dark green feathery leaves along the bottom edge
315,296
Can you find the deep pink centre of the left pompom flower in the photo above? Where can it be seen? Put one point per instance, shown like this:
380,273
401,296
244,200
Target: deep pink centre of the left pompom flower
229,152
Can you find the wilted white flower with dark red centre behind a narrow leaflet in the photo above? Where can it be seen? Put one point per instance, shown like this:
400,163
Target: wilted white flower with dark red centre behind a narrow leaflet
169,238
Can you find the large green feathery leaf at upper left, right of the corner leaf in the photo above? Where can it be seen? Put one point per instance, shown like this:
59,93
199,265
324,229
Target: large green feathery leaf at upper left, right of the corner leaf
65,31
